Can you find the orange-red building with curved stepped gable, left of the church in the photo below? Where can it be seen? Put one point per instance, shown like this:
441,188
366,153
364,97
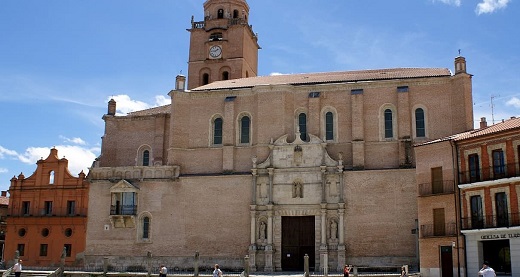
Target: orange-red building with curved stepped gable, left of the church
47,214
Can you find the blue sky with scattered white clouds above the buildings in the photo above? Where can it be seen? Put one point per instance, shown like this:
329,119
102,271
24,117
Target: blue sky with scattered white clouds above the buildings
62,60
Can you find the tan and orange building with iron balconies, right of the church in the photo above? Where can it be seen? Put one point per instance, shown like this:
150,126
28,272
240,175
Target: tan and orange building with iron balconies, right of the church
469,200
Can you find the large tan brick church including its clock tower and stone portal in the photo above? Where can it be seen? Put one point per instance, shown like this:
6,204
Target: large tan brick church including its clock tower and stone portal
272,167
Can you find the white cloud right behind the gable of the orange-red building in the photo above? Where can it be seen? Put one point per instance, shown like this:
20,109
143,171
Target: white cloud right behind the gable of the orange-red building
80,158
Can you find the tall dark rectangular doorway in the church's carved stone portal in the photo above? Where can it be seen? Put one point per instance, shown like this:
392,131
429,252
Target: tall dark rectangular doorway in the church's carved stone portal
298,236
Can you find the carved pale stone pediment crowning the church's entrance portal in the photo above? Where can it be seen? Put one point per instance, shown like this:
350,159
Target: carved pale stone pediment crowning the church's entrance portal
298,153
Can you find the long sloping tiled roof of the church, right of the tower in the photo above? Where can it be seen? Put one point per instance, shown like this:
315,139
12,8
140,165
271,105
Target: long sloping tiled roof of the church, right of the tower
328,77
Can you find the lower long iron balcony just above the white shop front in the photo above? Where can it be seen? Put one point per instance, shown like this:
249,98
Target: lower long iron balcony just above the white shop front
491,221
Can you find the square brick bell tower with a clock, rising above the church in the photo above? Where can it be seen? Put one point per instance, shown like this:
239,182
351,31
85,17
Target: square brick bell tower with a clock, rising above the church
223,46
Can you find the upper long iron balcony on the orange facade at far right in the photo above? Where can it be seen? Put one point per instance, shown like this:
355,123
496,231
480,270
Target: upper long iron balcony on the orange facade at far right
488,174
